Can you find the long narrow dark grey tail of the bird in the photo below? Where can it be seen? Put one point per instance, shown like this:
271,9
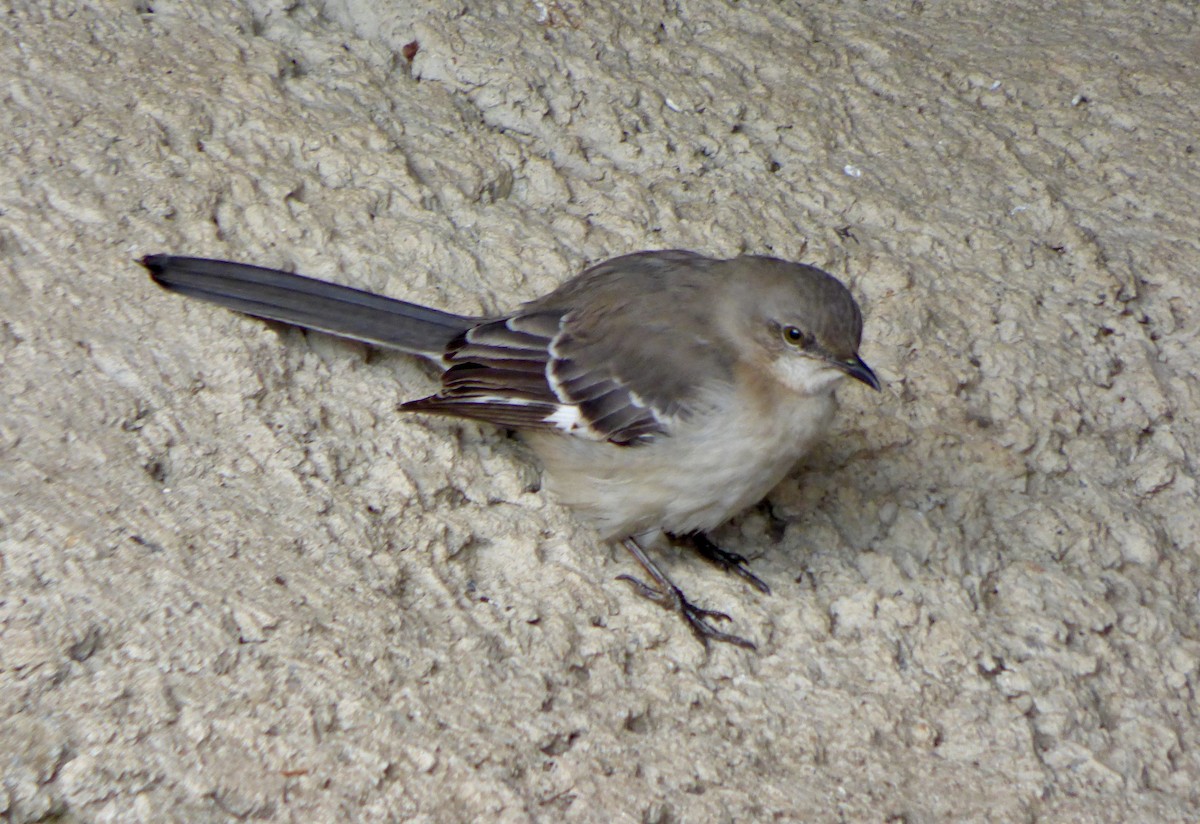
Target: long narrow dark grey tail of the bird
295,299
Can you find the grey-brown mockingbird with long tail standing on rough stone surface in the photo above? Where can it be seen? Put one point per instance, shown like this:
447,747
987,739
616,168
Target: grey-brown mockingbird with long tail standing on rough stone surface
664,392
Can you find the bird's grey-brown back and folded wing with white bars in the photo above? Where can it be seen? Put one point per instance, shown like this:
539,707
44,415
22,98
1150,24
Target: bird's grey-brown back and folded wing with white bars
615,354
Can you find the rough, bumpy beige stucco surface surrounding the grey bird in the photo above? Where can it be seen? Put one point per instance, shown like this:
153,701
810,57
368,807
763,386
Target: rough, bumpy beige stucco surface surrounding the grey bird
235,584
